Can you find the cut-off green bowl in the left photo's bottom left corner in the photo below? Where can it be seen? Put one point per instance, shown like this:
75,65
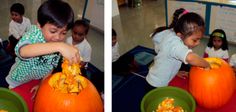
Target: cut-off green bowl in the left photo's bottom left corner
11,101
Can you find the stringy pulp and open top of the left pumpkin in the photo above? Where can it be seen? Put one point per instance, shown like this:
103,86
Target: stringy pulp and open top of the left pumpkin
69,80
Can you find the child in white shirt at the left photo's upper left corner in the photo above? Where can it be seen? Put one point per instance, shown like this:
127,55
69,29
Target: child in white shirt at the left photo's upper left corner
18,26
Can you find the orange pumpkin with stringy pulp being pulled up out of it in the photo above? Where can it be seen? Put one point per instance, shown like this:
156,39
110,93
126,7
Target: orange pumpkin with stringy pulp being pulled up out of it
67,92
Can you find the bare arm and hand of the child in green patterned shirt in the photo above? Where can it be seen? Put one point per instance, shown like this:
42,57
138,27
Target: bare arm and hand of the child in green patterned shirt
68,51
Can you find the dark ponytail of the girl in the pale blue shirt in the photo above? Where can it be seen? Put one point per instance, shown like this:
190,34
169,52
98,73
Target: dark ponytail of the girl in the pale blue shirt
176,15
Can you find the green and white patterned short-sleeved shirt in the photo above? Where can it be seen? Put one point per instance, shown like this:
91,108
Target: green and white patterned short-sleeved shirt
28,69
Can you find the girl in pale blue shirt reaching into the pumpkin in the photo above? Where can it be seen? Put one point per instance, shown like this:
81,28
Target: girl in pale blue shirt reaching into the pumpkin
174,47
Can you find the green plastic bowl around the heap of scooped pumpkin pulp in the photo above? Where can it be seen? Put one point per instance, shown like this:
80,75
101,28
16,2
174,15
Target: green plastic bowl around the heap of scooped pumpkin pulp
181,98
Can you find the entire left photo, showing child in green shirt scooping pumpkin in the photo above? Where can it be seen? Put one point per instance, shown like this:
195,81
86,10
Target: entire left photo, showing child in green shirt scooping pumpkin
52,56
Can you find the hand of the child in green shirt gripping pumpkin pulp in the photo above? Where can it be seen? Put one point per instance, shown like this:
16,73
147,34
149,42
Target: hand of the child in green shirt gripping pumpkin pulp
71,53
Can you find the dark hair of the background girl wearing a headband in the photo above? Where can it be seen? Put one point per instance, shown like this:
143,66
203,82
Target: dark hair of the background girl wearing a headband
222,35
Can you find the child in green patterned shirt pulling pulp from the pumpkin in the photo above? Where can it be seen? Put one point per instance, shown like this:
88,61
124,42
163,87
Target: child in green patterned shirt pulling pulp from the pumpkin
38,50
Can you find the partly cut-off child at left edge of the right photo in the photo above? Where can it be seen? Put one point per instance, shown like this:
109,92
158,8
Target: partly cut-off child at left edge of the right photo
115,47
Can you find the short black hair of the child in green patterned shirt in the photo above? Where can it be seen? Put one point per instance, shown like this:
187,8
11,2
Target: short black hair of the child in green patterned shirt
56,12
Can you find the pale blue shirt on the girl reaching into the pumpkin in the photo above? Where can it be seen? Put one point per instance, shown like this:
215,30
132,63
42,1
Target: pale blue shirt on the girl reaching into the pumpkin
171,52
